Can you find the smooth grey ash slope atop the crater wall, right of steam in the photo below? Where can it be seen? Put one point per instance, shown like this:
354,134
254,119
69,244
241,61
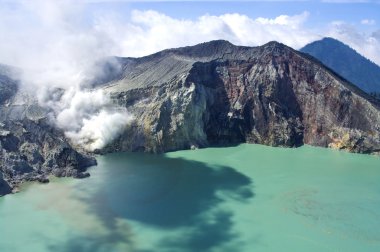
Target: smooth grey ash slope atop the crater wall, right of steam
162,67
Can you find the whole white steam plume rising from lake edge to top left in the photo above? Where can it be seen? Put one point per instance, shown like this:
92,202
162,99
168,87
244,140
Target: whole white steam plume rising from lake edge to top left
58,53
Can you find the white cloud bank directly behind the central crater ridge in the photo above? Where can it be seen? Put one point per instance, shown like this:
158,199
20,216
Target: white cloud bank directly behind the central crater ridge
151,31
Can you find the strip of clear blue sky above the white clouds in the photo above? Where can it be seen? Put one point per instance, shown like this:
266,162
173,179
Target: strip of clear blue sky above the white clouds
321,12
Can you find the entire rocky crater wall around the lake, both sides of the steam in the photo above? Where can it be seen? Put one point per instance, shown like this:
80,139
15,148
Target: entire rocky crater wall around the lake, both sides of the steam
213,93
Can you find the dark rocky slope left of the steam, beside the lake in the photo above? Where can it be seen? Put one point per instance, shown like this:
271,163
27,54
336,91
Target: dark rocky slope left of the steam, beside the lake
30,147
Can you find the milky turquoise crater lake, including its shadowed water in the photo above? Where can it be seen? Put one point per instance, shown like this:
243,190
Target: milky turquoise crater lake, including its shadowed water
245,198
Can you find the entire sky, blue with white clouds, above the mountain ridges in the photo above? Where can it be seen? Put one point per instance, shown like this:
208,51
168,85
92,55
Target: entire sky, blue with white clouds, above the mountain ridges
97,28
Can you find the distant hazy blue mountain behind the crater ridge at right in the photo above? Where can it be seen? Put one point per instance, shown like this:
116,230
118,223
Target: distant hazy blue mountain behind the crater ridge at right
346,62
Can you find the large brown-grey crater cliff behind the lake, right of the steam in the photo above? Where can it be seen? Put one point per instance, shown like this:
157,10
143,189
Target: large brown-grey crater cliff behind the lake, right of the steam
216,93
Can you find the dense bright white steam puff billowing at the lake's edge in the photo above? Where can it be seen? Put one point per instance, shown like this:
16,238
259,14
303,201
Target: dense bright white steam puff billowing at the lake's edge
90,121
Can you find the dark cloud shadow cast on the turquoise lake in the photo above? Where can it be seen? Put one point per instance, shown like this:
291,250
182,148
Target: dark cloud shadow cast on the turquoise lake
166,195
